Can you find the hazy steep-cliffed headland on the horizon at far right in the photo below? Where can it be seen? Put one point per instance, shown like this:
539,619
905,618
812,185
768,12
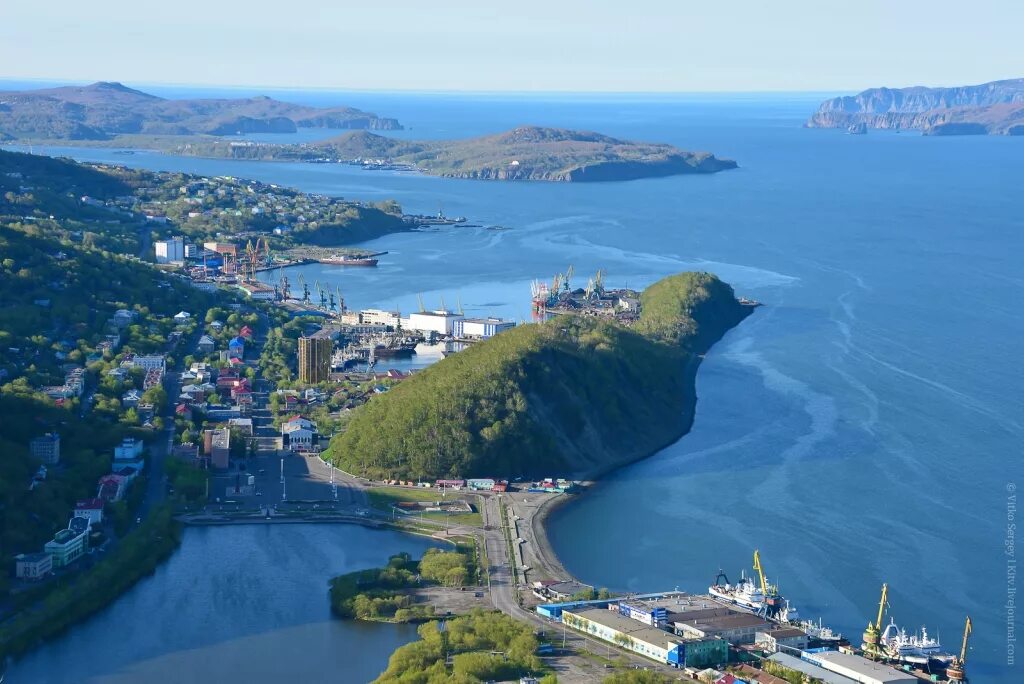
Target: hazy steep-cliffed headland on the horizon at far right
990,109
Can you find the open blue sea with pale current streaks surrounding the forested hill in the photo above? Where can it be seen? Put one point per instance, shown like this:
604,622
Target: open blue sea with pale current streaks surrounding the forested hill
865,426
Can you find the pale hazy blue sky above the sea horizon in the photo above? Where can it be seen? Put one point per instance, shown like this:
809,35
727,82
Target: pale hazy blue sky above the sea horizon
568,46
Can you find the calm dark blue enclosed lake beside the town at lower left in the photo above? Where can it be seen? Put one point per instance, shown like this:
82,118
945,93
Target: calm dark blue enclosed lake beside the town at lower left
241,604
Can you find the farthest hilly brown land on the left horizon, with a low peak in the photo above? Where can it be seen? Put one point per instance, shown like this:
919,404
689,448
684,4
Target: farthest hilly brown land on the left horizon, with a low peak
103,111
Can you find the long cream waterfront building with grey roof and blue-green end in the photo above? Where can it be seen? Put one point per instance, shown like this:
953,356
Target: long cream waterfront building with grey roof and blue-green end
652,643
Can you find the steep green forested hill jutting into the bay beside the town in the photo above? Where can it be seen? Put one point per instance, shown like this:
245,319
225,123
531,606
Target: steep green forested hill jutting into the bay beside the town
575,396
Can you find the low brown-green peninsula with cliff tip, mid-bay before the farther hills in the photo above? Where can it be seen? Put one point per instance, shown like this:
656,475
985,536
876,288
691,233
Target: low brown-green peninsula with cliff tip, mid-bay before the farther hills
528,153
